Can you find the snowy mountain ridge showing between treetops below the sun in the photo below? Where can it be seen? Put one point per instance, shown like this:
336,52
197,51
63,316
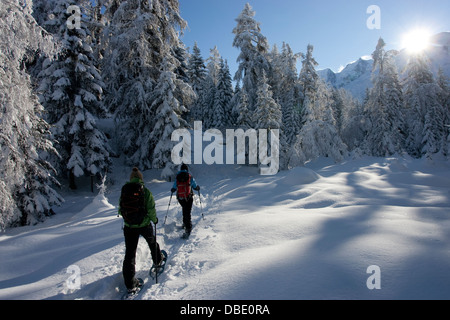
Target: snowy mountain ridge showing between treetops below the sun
356,76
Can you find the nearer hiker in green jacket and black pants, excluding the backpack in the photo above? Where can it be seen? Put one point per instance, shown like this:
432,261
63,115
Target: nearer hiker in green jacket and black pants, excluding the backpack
133,232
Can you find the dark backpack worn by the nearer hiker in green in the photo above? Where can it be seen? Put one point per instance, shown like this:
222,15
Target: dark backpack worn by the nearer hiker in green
132,203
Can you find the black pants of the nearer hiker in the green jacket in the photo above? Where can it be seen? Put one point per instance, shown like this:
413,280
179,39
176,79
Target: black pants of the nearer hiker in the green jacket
131,242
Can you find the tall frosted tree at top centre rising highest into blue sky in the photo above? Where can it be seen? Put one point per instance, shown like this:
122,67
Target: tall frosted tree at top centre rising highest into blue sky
254,49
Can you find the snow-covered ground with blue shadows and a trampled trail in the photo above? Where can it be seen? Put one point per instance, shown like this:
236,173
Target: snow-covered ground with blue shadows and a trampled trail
309,233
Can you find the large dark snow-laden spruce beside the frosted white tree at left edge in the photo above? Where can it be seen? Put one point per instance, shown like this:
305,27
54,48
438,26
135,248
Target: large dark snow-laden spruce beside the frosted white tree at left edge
71,89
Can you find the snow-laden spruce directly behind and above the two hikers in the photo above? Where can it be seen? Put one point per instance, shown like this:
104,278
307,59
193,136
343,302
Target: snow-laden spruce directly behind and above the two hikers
168,112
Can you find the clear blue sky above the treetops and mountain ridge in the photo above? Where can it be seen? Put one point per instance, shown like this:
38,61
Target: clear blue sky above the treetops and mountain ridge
337,29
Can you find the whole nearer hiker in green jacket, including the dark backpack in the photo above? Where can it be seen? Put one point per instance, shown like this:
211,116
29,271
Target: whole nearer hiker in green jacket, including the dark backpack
138,214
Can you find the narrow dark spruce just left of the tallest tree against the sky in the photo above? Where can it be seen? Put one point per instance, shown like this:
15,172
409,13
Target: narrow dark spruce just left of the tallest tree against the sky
224,94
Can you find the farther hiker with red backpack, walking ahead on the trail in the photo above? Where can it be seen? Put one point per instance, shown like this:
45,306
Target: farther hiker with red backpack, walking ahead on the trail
185,195
